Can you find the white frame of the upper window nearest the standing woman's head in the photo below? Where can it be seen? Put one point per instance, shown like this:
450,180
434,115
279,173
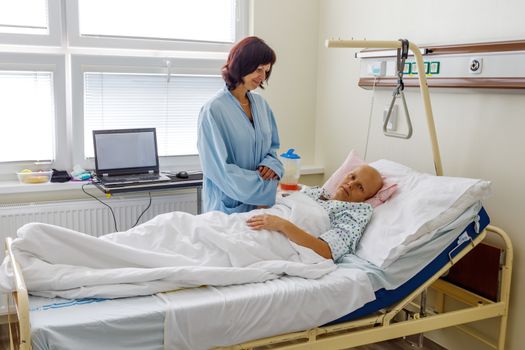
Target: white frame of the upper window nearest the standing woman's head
76,40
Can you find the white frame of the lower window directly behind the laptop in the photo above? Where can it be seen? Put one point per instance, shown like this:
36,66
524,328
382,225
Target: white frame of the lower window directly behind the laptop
132,64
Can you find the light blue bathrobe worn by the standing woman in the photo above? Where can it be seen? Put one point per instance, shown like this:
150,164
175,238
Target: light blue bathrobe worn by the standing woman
231,149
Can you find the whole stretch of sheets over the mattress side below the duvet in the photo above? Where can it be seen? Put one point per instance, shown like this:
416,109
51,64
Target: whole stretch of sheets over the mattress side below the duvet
200,318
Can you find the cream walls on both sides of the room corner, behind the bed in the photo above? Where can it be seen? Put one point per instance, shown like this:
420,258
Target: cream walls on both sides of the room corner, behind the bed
323,113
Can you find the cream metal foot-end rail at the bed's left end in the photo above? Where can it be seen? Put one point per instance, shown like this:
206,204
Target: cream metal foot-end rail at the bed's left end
21,302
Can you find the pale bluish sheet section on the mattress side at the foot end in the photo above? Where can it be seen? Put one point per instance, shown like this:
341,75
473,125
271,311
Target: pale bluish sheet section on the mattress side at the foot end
128,323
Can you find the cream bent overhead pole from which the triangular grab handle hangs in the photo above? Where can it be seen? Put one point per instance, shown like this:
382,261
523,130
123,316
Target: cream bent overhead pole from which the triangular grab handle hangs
379,44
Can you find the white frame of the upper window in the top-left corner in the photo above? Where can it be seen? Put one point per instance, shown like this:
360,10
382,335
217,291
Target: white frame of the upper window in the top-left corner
54,38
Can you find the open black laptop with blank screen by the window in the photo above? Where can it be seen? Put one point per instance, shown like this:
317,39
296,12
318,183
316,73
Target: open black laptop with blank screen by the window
126,157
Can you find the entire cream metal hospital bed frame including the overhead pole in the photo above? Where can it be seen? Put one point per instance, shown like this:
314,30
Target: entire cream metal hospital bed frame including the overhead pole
371,329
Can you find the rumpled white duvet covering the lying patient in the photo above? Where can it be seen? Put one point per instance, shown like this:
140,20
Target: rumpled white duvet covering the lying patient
171,251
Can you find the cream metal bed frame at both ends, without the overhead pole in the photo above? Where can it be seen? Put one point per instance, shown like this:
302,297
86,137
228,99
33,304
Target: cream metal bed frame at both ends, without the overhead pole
367,330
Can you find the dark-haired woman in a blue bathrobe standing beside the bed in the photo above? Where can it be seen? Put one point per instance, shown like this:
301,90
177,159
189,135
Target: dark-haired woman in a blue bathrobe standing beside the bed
237,135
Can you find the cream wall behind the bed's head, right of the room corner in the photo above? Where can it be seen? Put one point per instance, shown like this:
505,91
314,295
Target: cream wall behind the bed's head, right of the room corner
480,133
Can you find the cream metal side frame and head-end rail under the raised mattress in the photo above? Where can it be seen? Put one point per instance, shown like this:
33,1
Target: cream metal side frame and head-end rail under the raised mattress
355,333
